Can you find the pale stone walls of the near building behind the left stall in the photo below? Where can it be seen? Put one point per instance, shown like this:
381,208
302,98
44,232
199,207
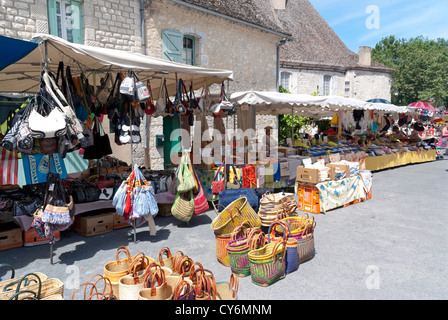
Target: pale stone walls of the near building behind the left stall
220,43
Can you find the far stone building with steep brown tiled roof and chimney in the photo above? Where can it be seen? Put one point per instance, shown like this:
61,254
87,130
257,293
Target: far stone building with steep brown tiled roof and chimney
318,62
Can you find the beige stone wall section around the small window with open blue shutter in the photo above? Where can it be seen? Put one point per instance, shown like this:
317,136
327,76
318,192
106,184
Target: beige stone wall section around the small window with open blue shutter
251,55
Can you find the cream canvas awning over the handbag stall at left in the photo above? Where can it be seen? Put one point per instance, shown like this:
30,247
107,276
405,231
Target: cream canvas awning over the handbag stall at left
24,75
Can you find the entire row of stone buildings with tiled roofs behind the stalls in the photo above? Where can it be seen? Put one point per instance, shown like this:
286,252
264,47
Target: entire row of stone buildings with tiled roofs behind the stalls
245,36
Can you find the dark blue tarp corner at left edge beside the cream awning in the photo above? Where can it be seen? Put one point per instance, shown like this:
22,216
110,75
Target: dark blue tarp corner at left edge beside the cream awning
12,50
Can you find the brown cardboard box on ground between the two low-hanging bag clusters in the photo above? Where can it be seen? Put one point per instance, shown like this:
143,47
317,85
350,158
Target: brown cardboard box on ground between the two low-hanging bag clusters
93,223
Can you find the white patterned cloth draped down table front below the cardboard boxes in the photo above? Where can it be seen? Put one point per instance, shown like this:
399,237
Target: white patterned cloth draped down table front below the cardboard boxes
334,194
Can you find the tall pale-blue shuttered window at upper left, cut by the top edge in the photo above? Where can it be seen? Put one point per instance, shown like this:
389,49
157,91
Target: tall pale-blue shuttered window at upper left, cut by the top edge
65,20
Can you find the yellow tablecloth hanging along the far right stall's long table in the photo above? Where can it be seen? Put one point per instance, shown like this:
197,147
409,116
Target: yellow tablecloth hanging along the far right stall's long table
399,159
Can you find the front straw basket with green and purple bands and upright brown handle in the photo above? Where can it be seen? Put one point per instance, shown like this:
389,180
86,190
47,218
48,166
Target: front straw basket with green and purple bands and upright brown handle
268,264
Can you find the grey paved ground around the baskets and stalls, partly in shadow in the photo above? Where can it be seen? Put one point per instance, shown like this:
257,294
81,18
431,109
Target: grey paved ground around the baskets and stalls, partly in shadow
394,246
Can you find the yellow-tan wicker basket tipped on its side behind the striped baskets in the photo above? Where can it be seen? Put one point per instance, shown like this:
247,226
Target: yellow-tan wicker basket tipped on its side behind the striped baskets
233,215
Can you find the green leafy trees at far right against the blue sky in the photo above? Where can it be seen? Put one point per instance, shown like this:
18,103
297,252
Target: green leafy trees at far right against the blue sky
421,67
